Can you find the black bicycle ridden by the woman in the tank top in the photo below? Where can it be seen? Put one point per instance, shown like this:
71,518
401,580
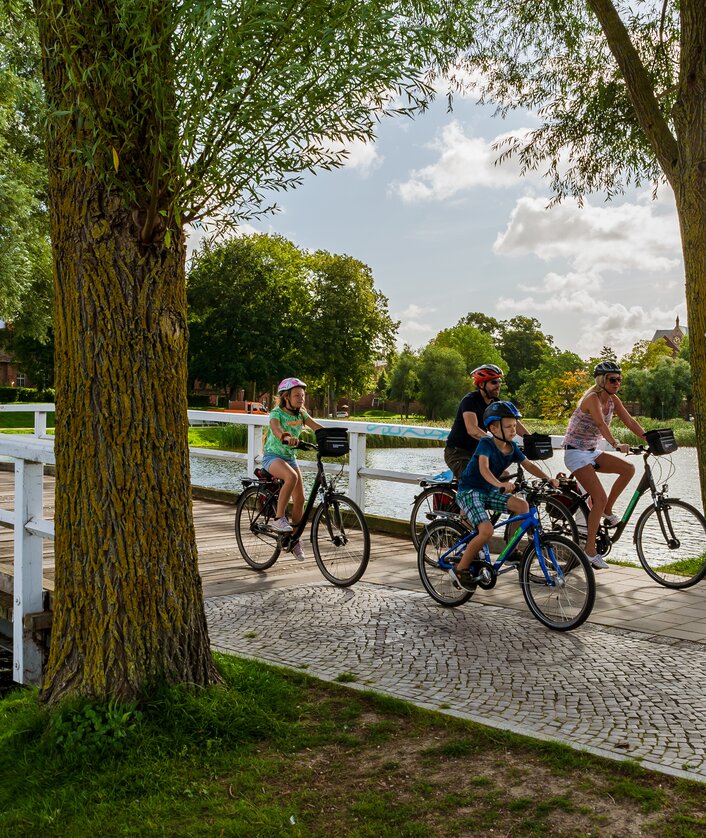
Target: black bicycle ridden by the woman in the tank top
670,534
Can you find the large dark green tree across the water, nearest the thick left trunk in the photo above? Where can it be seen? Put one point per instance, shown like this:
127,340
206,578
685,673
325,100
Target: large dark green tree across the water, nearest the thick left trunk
247,301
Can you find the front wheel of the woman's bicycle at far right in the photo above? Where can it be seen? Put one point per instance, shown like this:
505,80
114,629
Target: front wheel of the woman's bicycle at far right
671,543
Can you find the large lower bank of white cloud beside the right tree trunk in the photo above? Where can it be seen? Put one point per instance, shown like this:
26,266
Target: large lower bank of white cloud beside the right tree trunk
591,245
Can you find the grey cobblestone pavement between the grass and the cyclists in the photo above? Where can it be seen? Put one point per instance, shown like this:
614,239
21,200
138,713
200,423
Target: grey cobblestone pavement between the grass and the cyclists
614,692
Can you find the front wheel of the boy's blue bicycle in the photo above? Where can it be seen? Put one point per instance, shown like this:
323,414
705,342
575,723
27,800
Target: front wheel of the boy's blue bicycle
564,600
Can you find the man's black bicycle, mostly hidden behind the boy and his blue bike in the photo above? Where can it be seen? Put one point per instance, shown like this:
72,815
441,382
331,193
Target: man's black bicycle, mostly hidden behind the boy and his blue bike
437,501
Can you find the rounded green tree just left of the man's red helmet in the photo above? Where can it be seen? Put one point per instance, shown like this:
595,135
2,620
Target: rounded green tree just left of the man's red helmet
442,381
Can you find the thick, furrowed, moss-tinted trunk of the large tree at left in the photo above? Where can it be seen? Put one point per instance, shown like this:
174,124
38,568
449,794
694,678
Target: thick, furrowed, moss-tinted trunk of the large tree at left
129,603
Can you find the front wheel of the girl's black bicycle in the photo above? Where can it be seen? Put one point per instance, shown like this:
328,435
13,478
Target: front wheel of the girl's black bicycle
341,540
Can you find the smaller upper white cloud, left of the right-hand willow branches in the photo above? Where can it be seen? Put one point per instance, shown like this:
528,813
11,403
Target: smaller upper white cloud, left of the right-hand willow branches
463,163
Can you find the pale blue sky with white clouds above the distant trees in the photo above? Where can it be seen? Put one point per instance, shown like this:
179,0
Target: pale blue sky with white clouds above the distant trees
446,231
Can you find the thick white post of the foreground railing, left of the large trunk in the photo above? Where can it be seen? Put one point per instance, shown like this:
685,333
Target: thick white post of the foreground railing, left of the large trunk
27,597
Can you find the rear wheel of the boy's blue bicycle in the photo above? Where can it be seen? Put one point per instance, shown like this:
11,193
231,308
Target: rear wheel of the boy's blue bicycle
433,565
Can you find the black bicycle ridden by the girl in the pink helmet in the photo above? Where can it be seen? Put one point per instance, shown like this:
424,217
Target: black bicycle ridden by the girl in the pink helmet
339,532
